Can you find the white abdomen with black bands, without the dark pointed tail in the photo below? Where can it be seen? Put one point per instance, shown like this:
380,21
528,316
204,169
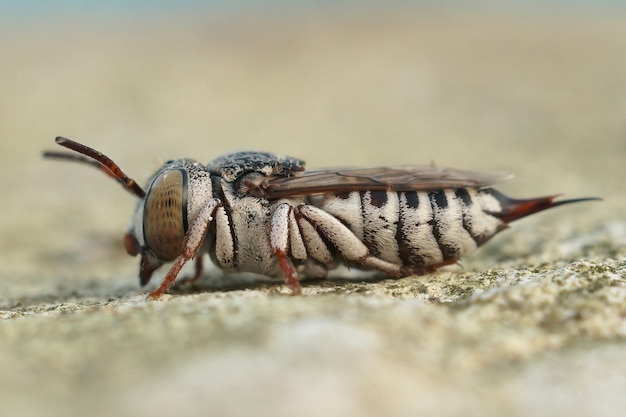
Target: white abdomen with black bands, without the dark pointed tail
422,228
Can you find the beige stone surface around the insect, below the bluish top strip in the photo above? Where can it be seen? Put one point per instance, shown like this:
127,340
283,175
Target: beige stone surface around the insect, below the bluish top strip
533,324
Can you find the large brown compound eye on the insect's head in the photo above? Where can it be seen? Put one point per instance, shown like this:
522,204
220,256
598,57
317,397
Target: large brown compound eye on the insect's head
165,214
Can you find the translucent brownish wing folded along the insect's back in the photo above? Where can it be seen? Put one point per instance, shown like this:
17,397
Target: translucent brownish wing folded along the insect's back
342,180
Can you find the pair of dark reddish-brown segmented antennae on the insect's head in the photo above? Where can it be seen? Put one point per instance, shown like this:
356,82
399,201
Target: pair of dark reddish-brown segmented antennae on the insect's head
92,157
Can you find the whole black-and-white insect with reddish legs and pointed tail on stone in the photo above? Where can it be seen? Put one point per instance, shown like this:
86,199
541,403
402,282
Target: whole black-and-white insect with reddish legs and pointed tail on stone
263,213
